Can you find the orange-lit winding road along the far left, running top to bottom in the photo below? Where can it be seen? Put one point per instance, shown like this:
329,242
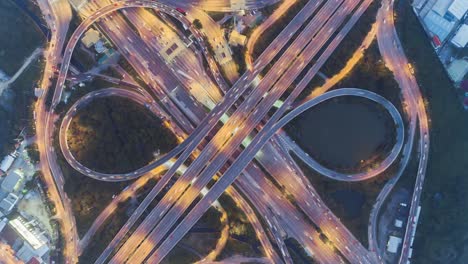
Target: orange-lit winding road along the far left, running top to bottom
57,15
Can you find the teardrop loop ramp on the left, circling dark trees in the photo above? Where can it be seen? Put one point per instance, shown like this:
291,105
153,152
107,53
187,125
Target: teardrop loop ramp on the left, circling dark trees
132,95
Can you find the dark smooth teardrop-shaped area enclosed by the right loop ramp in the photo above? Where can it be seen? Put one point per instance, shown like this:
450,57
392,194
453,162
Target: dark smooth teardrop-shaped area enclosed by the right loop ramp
356,134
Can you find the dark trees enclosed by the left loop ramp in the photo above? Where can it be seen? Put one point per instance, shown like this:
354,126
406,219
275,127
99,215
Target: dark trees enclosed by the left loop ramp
115,135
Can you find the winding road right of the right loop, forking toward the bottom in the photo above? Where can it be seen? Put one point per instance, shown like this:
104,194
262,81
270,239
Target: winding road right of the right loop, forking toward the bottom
395,59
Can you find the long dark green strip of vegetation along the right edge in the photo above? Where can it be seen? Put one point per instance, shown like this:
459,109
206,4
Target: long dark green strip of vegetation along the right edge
441,234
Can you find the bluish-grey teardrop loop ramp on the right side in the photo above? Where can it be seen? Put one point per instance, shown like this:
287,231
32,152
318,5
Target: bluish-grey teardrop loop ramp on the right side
360,176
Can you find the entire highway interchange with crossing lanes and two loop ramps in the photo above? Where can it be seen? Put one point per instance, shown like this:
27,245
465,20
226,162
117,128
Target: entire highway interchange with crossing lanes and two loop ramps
237,136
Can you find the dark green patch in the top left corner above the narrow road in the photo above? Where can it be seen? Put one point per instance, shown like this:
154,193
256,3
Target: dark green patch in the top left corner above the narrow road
19,37
